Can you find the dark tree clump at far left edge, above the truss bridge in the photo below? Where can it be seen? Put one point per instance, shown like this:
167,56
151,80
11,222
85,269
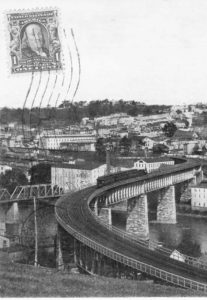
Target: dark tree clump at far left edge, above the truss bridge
12,178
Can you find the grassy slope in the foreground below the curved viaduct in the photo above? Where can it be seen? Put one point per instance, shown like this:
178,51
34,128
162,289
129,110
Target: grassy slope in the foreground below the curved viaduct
27,281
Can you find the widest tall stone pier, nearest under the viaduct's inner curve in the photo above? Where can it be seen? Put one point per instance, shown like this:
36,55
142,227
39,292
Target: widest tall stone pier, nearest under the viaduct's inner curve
137,220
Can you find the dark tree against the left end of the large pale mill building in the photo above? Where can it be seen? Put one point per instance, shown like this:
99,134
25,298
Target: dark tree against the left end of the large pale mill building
40,174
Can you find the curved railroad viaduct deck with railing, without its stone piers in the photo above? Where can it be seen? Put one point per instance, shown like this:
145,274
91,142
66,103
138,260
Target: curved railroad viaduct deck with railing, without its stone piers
96,241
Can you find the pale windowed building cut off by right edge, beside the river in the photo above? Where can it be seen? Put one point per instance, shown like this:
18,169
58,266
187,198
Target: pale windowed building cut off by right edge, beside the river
199,196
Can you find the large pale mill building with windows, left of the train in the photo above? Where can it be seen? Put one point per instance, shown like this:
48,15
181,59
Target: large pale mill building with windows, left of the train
72,177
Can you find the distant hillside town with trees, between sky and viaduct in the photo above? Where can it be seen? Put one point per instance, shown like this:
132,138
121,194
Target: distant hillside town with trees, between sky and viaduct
126,130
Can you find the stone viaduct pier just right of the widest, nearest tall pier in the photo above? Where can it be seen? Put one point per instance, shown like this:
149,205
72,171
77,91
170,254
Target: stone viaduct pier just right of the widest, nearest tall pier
166,209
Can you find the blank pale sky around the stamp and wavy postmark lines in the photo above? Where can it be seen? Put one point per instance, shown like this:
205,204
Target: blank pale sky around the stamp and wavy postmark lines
143,50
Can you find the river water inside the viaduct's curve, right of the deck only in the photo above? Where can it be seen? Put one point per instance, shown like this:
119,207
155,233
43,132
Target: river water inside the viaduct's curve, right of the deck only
191,231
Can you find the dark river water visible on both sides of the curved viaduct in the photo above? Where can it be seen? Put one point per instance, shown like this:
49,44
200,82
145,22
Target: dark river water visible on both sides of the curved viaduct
189,231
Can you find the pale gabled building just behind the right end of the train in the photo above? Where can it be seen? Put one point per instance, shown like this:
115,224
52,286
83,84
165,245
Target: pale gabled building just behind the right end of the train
151,164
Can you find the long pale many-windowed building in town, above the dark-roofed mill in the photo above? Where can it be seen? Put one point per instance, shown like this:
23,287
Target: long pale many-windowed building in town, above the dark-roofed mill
55,141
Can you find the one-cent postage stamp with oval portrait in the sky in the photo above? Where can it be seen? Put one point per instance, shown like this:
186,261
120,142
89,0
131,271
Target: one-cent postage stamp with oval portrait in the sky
34,41
